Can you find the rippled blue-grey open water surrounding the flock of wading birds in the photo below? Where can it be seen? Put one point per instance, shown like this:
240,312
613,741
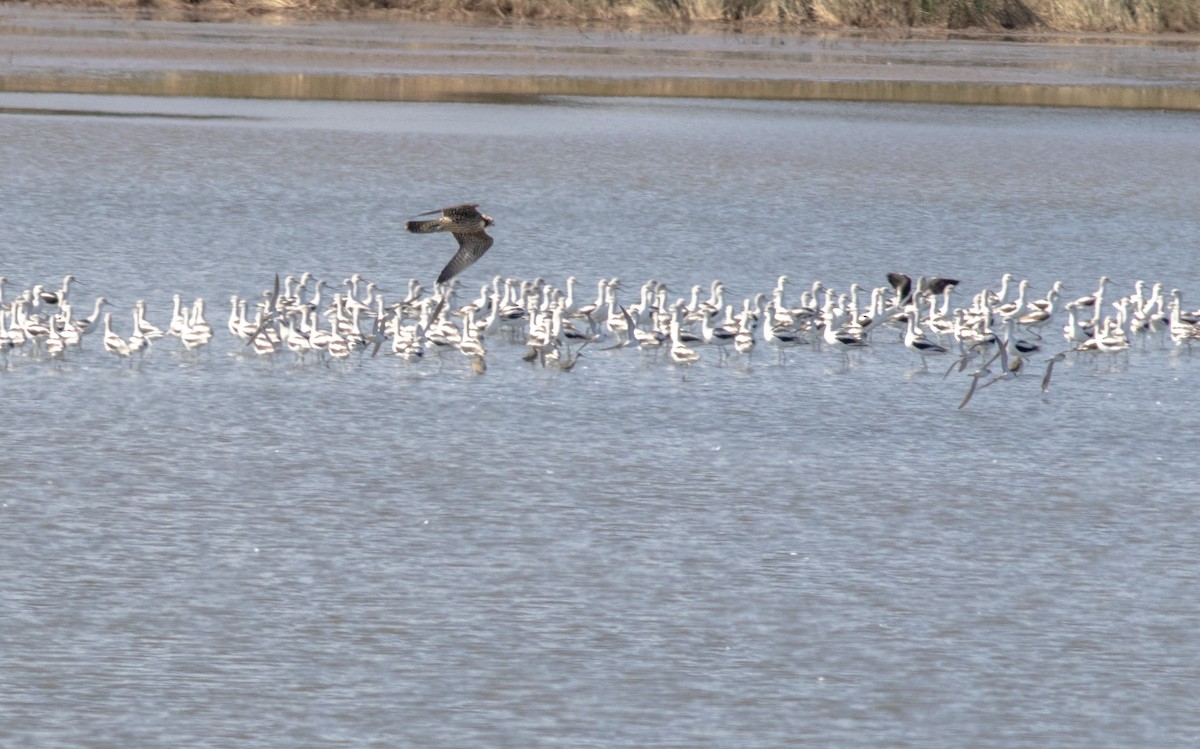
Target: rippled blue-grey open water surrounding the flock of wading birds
227,552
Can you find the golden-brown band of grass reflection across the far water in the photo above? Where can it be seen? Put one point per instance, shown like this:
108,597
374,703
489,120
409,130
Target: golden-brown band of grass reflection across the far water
532,89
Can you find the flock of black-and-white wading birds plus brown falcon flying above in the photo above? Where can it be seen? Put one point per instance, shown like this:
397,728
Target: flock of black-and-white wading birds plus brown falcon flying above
995,337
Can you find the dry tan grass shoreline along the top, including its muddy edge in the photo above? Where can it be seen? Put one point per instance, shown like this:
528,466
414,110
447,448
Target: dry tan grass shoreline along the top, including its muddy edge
887,19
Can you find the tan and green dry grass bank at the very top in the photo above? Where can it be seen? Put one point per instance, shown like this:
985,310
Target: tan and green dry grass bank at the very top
1096,16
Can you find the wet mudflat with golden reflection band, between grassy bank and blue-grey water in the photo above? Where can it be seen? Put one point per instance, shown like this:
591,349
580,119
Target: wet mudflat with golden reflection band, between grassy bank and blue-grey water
103,52
